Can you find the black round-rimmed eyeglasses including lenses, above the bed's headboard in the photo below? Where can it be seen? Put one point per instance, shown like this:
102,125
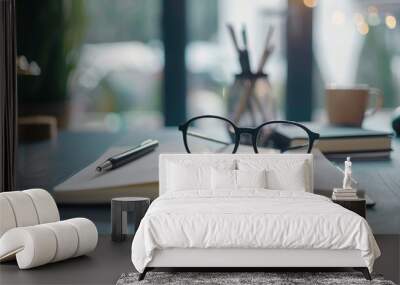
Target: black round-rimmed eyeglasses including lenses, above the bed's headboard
213,134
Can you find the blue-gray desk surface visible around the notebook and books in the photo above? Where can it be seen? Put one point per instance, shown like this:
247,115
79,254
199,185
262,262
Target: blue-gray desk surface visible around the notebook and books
74,150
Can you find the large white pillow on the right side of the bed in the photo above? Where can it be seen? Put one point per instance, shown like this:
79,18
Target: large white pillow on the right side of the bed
282,174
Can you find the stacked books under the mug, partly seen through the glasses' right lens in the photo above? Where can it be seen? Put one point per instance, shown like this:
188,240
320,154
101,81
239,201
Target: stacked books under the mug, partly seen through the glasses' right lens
337,142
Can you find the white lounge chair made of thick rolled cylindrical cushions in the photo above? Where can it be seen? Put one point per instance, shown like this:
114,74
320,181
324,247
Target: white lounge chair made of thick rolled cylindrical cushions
31,231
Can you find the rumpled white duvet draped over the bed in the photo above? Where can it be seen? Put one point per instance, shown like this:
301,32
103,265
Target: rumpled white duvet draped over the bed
250,219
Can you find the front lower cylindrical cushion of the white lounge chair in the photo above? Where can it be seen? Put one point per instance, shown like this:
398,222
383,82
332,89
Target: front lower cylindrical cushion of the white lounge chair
40,244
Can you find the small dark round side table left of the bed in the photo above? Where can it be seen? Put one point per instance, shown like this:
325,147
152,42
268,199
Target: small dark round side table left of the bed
119,208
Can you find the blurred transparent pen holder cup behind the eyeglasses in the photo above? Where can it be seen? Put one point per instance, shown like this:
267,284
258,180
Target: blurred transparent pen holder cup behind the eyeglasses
250,102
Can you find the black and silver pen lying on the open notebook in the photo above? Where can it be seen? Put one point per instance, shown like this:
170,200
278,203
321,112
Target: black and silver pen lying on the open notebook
128,156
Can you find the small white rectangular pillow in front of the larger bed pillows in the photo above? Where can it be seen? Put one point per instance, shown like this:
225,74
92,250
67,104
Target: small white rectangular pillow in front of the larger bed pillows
226,179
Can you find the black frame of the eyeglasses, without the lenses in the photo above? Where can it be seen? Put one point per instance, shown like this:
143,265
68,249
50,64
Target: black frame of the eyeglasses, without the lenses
312,136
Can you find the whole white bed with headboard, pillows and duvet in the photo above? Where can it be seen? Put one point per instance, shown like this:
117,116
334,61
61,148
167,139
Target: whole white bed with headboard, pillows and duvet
247,211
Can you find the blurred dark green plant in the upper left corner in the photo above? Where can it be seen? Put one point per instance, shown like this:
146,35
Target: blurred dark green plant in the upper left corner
49,32
